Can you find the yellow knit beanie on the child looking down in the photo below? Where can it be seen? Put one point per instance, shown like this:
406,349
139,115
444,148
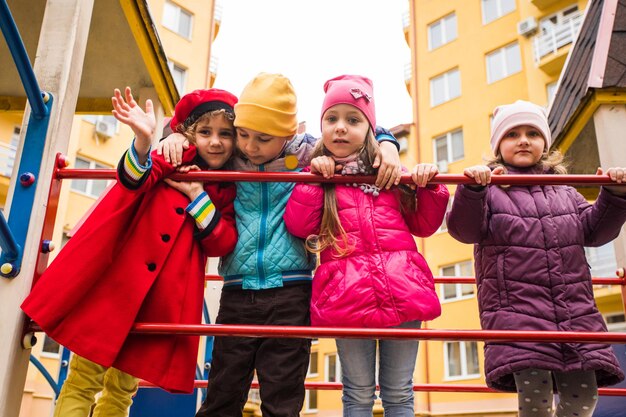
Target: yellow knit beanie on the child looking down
268,105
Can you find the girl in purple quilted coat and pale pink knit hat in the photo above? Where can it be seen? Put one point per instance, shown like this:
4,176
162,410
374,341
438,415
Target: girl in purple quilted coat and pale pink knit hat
531,269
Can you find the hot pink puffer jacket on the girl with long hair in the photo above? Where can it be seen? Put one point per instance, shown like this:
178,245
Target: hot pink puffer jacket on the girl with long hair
384,281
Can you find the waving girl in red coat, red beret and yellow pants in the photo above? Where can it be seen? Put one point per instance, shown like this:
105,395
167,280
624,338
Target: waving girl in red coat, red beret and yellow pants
141,257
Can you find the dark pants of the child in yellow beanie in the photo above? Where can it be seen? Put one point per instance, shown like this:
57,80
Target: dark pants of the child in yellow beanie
281,364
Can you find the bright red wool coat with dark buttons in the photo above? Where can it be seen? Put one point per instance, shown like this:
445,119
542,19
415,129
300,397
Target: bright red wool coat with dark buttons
138,258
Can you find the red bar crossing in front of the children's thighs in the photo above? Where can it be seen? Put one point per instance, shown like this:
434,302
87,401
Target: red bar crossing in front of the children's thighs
355,333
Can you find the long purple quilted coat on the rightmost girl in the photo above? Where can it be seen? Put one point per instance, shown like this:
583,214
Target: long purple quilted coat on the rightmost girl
532,273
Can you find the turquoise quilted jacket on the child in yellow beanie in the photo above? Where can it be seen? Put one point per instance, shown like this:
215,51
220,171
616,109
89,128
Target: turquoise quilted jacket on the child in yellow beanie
266,255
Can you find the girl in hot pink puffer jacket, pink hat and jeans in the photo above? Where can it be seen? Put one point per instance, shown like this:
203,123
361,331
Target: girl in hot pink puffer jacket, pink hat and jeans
370,273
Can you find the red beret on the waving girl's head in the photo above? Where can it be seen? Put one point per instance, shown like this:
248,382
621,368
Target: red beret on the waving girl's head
198,102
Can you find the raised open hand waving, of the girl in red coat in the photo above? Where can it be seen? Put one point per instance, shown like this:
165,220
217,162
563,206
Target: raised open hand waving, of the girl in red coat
127,111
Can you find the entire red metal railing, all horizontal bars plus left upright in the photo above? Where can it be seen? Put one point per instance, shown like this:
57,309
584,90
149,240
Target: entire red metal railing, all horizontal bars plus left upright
324,332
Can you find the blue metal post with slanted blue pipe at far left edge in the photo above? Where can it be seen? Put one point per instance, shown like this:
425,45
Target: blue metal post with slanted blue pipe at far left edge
14,236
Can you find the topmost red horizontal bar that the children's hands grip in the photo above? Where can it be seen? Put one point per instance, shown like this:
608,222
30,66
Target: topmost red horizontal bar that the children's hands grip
229,176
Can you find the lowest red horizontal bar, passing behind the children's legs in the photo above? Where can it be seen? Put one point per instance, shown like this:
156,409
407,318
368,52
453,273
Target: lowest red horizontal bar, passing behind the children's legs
475,388
